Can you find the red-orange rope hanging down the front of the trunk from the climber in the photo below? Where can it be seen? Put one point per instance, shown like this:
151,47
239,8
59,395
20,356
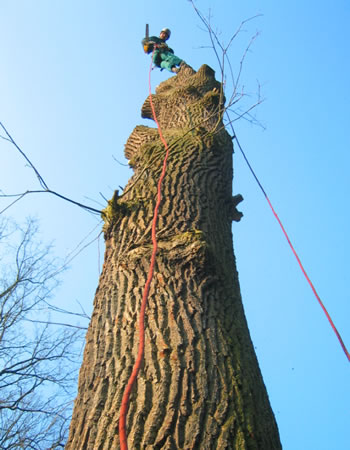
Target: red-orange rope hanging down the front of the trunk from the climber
125,400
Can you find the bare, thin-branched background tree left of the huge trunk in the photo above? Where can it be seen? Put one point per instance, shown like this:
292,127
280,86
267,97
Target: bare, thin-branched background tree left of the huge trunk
38,357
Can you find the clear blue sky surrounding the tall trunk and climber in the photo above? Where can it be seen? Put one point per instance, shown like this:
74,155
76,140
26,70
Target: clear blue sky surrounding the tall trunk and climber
73,78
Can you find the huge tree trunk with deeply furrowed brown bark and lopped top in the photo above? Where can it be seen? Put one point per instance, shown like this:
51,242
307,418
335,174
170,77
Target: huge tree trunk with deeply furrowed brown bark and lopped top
200,386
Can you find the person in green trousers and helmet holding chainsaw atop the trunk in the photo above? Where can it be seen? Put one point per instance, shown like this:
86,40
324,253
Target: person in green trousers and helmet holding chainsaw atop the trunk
163,56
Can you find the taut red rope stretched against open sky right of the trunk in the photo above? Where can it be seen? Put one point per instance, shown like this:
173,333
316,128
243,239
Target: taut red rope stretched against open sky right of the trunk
293,250
